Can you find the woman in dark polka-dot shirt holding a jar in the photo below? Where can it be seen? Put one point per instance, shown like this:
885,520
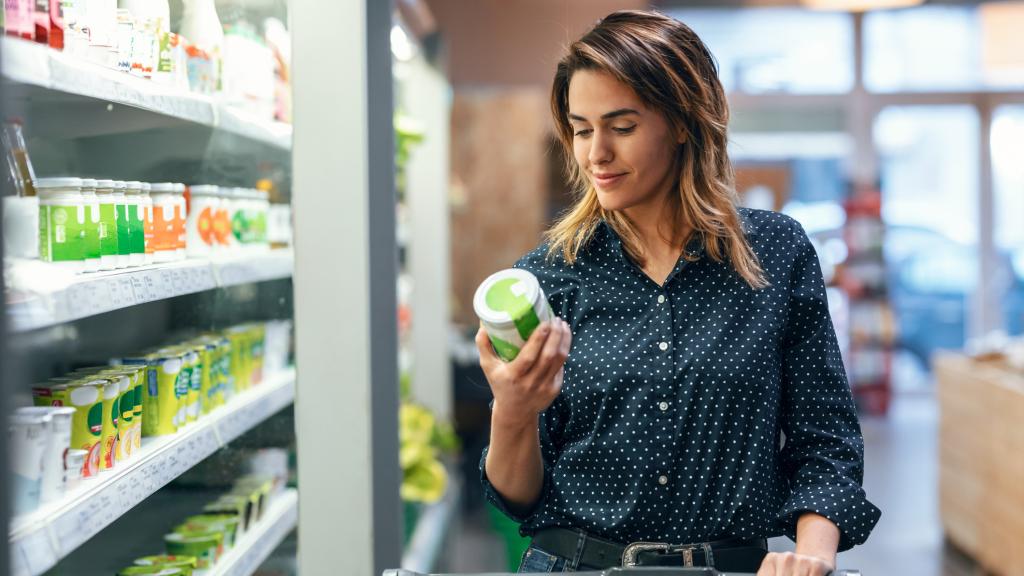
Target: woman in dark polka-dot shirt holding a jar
691,401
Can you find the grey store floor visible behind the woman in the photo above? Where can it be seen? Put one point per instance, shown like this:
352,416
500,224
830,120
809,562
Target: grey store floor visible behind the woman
901,478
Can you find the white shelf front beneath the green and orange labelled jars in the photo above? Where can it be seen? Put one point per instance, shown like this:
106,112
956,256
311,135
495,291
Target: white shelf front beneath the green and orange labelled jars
38,298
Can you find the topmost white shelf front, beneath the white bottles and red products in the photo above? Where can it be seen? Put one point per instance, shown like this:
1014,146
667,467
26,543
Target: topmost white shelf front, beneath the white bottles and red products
36,65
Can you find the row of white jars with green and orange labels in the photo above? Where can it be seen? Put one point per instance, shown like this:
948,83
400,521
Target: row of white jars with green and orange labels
86,225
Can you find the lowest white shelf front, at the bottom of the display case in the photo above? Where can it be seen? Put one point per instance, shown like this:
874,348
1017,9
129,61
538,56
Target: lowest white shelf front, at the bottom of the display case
260,543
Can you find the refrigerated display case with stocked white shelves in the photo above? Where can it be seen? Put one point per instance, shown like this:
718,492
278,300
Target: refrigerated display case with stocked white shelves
209,279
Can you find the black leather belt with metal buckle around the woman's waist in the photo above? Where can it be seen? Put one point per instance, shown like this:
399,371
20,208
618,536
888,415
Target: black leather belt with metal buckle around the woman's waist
732,555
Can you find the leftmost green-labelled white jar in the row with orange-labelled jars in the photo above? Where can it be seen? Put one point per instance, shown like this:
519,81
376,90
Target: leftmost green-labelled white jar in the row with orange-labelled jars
62,223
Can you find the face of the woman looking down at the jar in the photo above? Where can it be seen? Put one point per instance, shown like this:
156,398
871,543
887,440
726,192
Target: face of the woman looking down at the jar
626,149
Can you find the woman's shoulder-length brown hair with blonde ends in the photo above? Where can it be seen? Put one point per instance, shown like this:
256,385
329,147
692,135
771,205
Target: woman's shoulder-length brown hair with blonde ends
672,72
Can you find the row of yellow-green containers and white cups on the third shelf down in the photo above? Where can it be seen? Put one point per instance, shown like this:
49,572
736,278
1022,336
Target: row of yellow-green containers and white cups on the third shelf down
94,420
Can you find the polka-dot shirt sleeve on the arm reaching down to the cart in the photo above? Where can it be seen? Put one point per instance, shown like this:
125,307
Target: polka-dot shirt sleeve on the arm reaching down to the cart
824,452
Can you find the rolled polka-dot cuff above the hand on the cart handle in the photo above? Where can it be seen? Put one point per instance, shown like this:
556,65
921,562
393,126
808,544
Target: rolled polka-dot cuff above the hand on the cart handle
847,508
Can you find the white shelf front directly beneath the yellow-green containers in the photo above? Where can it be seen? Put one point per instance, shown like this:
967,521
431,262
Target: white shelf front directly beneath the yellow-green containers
40,540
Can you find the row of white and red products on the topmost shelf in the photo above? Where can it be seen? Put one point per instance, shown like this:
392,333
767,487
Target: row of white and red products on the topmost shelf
136,37
